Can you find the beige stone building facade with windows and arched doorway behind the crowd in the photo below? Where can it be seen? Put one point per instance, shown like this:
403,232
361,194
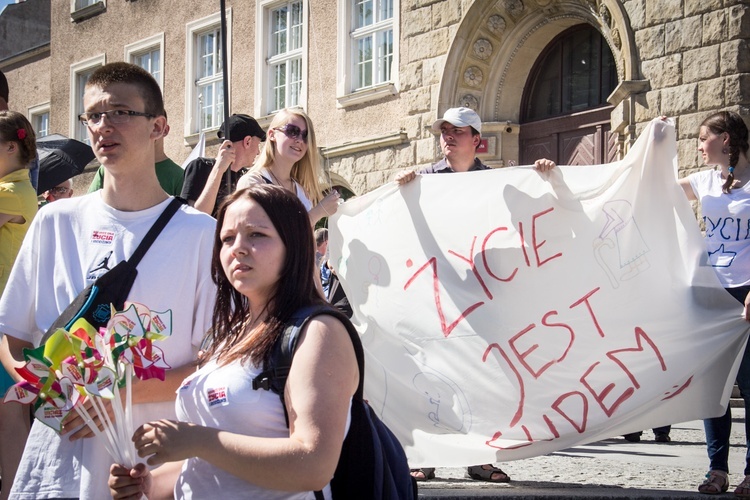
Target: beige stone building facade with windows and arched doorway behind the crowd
680,58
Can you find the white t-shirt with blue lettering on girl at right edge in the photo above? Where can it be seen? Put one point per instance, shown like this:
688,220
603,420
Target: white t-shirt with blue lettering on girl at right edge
727,220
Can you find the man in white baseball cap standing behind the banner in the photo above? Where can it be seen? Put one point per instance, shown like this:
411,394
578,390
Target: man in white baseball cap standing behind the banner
460,132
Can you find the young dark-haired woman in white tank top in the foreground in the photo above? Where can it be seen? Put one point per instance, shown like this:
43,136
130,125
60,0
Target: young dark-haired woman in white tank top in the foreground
231,439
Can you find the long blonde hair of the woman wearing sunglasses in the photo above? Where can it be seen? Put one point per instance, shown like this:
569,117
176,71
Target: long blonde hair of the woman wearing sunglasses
305,171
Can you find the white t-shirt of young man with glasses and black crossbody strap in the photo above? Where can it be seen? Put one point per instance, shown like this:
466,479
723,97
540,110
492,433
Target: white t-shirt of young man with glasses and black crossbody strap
69,244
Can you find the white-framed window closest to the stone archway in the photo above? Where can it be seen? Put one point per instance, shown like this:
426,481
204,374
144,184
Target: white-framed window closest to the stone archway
368,39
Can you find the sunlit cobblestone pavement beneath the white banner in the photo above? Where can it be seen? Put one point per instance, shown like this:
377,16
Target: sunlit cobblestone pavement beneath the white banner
613,468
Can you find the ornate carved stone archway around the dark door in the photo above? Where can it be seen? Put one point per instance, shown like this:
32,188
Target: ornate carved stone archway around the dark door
495,48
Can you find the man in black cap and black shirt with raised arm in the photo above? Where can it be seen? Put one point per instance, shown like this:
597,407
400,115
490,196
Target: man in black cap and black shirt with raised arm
204,186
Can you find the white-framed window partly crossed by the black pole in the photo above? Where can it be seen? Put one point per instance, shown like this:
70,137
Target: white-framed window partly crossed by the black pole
205,84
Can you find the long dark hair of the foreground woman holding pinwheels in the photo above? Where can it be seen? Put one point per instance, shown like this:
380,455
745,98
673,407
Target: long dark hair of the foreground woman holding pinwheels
295,288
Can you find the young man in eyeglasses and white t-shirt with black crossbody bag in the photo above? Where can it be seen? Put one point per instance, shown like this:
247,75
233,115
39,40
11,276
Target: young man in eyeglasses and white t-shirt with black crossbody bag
69,245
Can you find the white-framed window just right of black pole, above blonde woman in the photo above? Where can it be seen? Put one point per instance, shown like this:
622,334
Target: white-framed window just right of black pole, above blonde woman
281,43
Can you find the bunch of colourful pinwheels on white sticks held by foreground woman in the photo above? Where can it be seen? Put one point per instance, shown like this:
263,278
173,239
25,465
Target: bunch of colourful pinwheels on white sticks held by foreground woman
83,370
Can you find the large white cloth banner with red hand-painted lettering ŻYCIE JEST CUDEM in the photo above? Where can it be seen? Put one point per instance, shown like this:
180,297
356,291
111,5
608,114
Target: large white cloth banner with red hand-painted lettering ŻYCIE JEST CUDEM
509,313
